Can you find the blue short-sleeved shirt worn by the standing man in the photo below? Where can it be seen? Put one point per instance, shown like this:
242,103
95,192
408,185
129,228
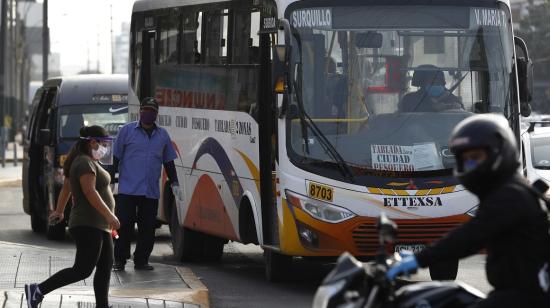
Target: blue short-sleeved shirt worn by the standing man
141,158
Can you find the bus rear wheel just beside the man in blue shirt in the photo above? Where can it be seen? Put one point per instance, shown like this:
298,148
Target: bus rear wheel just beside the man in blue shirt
186,243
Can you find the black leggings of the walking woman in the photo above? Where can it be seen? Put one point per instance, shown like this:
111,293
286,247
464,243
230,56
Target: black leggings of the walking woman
94,249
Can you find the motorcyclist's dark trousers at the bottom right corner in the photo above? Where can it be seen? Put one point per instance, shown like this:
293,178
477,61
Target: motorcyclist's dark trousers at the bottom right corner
513,299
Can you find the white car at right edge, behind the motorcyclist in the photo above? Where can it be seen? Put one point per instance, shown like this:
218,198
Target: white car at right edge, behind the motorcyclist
535,141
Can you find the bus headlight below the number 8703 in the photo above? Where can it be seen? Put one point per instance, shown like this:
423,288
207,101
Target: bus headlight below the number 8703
318,209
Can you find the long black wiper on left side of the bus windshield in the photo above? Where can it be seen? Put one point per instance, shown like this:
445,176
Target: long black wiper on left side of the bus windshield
329,148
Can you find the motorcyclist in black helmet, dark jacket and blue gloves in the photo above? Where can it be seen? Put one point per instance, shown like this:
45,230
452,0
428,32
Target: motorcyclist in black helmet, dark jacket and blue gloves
510,222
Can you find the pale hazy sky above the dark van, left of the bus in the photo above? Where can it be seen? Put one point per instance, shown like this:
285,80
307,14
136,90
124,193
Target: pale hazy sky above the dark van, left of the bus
79,28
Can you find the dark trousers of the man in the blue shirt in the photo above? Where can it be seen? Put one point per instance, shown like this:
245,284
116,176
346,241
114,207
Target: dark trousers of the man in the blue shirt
129,210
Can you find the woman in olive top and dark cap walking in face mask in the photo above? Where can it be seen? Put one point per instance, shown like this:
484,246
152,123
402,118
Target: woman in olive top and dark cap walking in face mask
92,218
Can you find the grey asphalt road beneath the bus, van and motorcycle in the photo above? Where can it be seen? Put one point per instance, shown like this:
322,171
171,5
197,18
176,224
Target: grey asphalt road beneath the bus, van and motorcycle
236,281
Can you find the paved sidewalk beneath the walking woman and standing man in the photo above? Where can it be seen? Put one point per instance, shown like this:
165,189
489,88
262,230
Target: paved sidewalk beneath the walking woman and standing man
166,286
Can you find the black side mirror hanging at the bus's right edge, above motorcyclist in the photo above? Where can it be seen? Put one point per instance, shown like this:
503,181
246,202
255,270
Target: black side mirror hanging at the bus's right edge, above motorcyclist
525,72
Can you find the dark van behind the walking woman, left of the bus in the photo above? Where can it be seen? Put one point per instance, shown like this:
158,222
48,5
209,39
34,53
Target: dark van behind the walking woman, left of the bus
59,109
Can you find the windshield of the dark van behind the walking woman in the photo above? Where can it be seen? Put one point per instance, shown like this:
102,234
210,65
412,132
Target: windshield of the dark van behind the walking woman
109,116
